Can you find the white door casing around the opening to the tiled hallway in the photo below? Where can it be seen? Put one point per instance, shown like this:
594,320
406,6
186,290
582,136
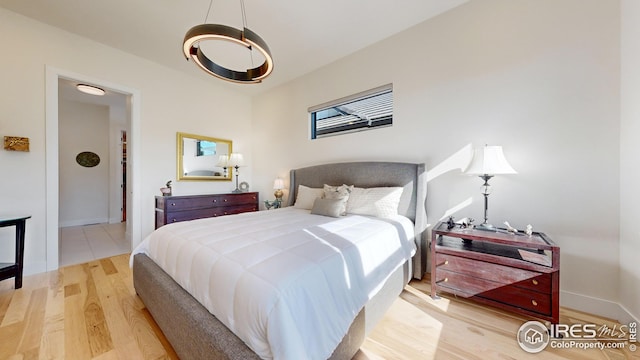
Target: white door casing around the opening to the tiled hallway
129,211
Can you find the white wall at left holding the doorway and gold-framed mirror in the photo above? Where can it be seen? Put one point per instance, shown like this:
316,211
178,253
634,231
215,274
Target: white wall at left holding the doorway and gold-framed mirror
170,101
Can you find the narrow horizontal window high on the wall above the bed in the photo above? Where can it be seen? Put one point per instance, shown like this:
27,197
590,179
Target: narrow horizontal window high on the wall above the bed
363,111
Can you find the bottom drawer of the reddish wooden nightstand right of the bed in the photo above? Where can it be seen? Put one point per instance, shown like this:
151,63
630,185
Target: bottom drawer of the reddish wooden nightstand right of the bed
511,295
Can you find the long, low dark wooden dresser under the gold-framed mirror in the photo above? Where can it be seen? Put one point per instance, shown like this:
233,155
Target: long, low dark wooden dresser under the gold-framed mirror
171,209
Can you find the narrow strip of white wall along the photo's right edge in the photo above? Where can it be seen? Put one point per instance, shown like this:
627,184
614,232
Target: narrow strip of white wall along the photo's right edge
629,150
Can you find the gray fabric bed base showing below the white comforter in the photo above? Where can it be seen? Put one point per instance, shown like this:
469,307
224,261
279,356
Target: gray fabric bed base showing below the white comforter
195,333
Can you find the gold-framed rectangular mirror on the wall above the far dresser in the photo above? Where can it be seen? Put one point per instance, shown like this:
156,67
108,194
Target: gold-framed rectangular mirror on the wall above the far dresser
199,157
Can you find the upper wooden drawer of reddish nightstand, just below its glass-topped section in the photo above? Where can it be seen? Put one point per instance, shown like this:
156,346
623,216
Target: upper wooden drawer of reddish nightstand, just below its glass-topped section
497,273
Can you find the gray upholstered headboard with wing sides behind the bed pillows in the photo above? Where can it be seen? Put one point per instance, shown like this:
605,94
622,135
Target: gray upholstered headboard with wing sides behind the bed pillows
412,177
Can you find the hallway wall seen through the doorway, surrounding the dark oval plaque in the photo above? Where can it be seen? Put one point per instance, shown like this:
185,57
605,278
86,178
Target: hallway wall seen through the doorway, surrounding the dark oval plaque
84,191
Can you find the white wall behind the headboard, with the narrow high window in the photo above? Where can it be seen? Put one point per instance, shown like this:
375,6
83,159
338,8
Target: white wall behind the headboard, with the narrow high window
540,78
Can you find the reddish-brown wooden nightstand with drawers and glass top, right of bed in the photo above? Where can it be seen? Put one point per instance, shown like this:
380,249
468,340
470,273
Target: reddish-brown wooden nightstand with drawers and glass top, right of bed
520,273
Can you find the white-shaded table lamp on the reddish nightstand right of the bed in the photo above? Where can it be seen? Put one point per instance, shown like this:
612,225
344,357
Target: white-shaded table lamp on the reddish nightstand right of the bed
487,162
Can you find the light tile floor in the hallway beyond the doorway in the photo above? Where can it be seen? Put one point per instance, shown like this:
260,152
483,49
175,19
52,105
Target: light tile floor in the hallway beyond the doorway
80,244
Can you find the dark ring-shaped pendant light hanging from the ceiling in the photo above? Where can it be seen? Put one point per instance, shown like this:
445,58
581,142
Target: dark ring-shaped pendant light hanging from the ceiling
245,37
